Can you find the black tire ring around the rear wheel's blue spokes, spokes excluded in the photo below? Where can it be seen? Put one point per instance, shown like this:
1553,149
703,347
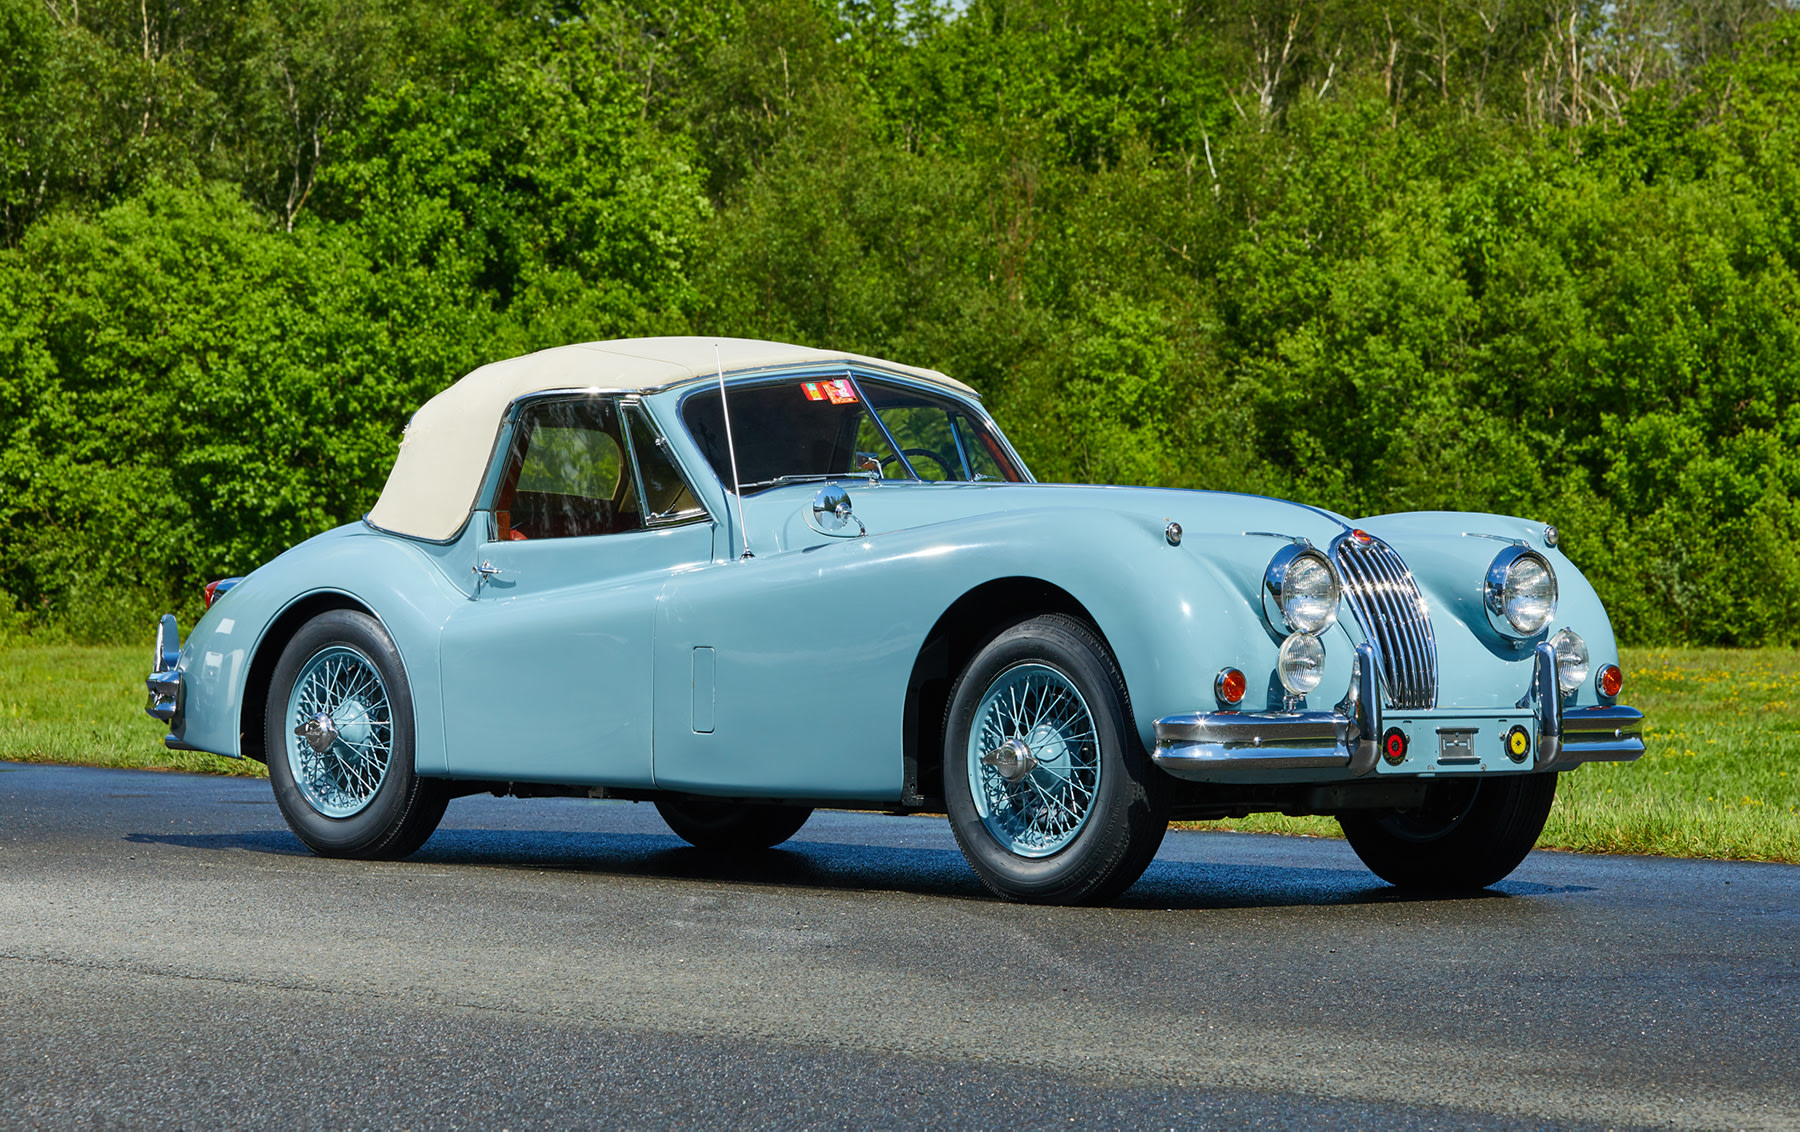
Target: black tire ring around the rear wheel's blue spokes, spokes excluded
375,825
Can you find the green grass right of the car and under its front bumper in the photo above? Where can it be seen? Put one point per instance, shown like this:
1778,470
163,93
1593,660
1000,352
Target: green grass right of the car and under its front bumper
1722,777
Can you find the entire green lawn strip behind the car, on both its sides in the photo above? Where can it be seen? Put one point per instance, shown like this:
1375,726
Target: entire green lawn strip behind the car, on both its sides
1722,777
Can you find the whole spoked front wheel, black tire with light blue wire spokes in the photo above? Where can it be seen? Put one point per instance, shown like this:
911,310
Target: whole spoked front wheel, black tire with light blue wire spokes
1052,796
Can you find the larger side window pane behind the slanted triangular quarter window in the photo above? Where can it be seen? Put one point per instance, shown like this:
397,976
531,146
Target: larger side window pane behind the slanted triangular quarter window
568,474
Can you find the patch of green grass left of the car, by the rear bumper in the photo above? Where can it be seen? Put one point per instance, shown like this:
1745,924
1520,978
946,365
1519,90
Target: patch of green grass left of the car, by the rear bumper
85,705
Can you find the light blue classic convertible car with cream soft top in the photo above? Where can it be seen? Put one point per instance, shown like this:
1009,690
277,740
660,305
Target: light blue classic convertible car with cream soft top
742,580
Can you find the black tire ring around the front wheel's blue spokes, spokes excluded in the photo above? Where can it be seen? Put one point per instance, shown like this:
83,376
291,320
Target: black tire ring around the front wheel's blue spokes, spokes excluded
1083,870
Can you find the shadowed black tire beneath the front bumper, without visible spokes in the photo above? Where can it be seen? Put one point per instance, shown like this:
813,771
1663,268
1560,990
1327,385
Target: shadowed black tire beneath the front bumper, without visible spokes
1468,836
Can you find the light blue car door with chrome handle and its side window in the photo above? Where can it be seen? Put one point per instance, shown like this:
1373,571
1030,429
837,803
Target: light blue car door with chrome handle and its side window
548,669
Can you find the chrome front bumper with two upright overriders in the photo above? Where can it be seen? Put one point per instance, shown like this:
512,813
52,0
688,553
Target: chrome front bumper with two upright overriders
1246,746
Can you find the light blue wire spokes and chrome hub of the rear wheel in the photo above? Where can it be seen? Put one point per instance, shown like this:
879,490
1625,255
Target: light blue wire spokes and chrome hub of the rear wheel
341,732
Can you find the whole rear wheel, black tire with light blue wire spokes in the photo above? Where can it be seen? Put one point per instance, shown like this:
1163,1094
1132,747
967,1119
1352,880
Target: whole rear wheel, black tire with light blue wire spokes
357,796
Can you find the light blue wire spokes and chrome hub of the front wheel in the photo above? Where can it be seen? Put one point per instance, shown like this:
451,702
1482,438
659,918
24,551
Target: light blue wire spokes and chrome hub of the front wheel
1034,760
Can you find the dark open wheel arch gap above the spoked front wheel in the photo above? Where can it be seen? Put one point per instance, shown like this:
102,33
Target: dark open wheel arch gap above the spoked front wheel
969,624
